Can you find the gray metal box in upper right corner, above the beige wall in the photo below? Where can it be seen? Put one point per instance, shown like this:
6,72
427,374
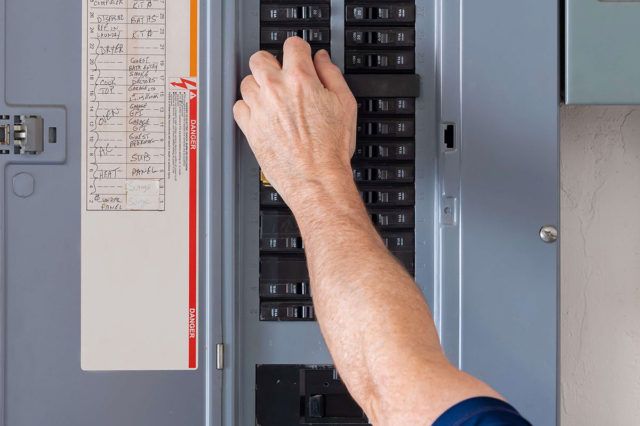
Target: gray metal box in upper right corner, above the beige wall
602,61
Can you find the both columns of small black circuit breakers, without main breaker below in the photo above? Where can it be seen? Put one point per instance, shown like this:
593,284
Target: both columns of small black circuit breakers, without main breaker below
379,61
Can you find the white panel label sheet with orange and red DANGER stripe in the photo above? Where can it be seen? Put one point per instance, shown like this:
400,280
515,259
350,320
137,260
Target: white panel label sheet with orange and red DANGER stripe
139,218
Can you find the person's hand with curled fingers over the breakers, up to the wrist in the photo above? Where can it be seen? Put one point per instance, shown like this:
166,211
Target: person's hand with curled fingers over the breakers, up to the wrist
299,119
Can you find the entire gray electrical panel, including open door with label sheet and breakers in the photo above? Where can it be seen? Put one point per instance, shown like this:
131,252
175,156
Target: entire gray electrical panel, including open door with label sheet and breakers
151,275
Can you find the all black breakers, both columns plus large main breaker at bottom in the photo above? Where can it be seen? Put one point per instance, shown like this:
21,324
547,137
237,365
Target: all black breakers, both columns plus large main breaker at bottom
379,64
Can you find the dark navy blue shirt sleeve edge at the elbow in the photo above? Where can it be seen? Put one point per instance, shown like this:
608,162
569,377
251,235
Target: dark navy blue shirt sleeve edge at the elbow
481,411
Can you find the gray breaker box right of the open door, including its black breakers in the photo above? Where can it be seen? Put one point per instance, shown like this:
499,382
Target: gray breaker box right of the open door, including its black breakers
435,163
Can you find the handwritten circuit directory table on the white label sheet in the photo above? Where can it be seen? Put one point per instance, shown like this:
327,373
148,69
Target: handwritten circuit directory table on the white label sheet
127,72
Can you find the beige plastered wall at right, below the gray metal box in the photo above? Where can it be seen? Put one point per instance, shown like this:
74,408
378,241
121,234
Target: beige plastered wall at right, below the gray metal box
600,249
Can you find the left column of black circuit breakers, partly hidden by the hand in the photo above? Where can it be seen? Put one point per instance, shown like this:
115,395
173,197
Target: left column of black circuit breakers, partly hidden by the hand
284,289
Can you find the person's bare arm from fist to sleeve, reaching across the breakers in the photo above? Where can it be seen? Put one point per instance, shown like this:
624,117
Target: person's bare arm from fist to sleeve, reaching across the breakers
300,120
